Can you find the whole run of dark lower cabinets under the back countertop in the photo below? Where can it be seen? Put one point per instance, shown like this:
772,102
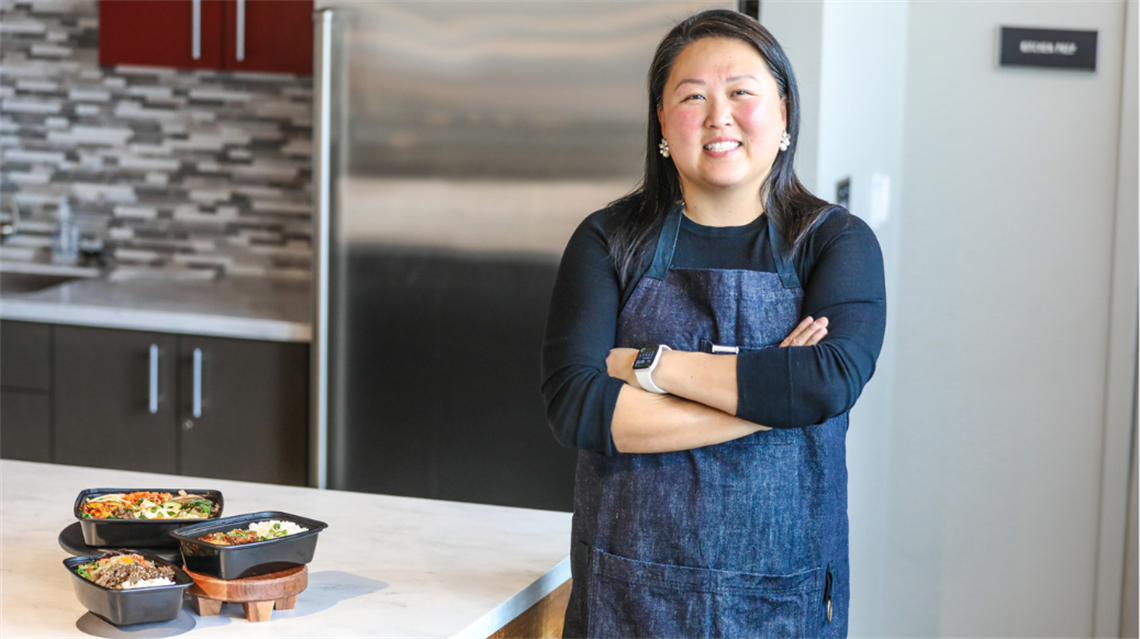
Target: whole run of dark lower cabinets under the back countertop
211,407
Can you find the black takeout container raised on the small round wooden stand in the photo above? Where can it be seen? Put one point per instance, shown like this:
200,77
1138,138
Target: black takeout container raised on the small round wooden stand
248,560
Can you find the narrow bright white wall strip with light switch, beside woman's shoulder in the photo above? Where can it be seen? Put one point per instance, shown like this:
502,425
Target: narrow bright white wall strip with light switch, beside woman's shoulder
864,76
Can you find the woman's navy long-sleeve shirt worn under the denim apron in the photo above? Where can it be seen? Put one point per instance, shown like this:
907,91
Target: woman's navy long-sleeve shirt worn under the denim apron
840,266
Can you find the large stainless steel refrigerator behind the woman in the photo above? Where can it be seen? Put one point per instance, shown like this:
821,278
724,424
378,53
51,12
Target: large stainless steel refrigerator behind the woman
458,145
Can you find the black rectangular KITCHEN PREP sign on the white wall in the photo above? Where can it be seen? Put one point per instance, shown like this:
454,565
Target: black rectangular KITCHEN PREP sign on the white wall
1048,47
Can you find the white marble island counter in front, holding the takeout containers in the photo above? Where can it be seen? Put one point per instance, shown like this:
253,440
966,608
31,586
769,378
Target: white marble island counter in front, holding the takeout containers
387,567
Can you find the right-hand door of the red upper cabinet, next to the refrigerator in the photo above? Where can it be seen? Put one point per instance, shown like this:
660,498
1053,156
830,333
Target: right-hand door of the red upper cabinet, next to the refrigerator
273,36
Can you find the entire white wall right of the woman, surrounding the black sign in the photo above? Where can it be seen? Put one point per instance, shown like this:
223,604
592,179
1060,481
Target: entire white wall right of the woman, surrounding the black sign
981,453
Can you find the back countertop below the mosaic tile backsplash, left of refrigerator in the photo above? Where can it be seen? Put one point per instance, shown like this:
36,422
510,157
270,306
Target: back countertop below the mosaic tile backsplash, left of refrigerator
227,307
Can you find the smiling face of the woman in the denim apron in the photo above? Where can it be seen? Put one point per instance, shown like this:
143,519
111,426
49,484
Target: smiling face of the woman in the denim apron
722,114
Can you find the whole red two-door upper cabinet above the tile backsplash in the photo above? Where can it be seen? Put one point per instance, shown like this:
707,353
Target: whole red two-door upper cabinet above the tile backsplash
265,36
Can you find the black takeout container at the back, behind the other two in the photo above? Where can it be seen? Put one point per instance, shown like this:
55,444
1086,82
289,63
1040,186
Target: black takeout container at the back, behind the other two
137,534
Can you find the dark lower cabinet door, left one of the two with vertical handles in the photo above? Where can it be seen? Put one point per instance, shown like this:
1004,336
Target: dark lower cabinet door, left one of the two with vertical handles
116,399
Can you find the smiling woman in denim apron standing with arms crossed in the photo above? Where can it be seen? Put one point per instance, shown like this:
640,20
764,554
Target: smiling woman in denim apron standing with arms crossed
711,497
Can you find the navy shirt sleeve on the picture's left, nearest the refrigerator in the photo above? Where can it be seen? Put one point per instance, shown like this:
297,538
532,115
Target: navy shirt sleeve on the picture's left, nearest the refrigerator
581,331
